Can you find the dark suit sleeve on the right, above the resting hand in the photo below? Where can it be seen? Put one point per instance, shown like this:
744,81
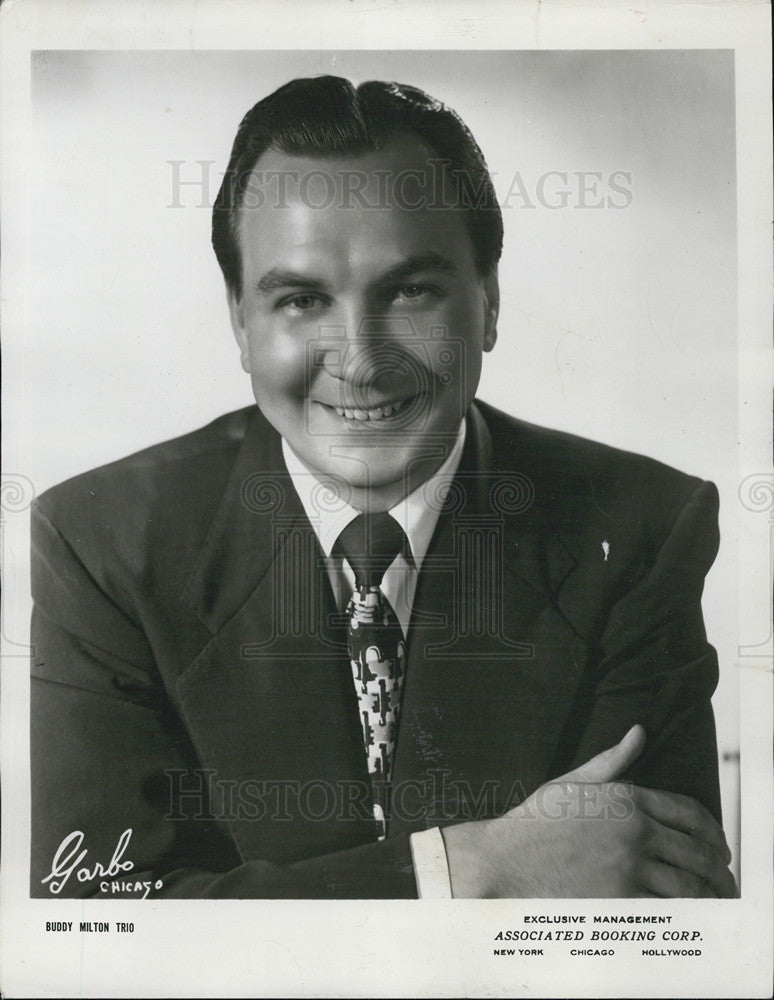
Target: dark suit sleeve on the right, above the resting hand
655,667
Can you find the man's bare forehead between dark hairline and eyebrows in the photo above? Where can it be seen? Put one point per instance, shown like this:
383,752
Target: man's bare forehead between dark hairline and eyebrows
392,202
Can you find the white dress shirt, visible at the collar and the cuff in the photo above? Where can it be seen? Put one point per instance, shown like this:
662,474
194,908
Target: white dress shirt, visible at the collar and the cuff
418,515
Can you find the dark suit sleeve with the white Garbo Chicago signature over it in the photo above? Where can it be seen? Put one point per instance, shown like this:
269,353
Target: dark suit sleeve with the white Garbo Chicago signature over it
103,733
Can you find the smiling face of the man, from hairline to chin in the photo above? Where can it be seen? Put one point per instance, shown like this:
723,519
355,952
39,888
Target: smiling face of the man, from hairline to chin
362,319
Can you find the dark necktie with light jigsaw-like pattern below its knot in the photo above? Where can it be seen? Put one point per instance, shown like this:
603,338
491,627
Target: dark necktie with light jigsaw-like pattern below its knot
375,644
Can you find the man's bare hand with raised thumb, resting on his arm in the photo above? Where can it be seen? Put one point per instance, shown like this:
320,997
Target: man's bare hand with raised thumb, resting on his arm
588,835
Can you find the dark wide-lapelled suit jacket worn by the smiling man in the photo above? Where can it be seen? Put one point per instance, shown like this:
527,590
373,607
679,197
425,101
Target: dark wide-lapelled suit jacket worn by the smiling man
190,682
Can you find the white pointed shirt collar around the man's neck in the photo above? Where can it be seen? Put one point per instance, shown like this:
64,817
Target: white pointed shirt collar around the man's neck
416,513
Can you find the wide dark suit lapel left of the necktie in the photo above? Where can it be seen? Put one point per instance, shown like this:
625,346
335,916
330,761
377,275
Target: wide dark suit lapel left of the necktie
269,701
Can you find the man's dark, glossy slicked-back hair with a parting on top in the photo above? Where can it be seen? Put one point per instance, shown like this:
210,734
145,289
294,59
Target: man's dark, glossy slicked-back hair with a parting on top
326,116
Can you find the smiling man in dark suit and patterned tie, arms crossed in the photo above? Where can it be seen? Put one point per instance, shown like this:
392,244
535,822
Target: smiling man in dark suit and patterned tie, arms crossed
371,637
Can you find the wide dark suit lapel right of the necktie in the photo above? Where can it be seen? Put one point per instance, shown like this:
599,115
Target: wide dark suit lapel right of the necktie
493,665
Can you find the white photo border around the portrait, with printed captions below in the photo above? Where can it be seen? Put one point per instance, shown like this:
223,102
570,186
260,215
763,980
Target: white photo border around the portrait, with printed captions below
436,948
